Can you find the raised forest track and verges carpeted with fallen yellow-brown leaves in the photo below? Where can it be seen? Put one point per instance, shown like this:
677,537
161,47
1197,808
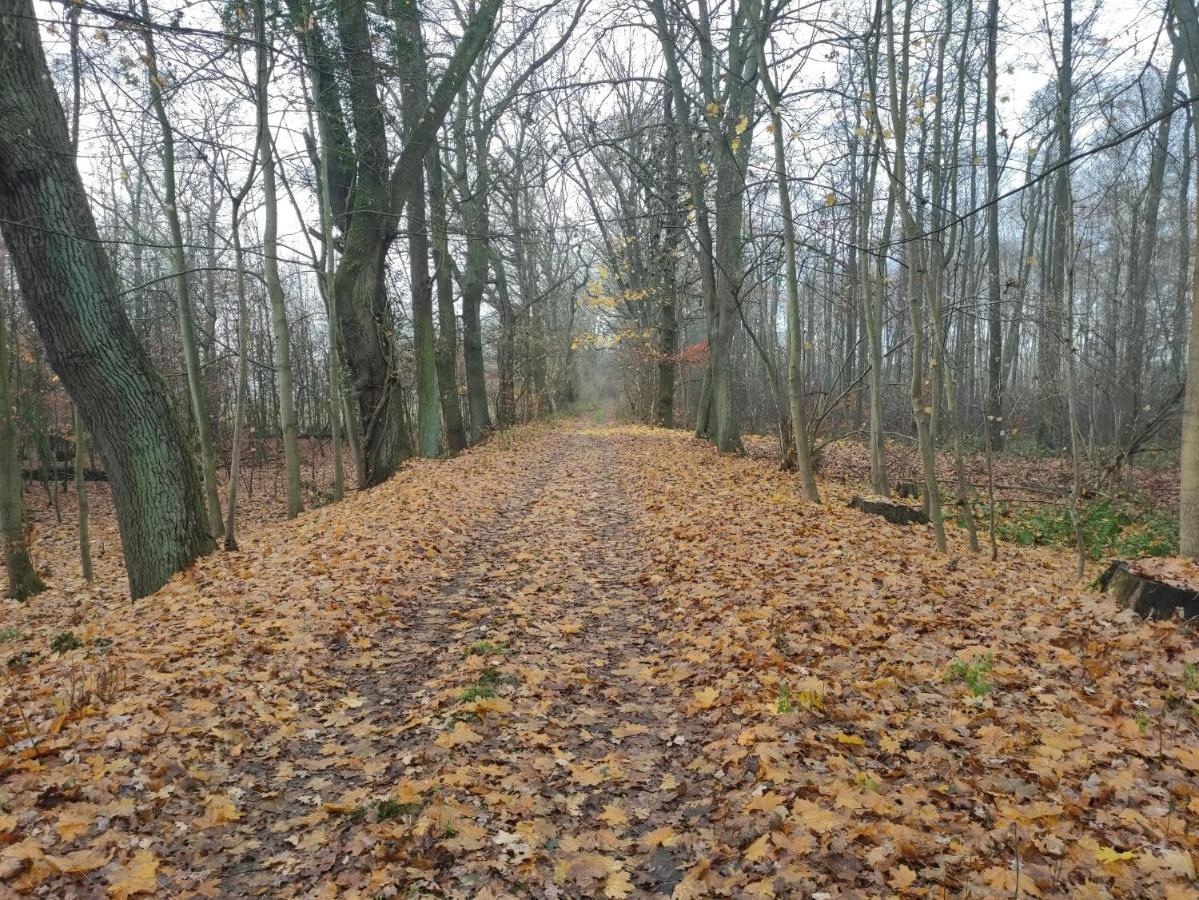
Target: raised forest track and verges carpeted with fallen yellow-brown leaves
599,662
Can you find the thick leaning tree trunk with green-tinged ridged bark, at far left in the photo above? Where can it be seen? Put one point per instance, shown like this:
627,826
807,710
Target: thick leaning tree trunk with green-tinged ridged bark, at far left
70,288
